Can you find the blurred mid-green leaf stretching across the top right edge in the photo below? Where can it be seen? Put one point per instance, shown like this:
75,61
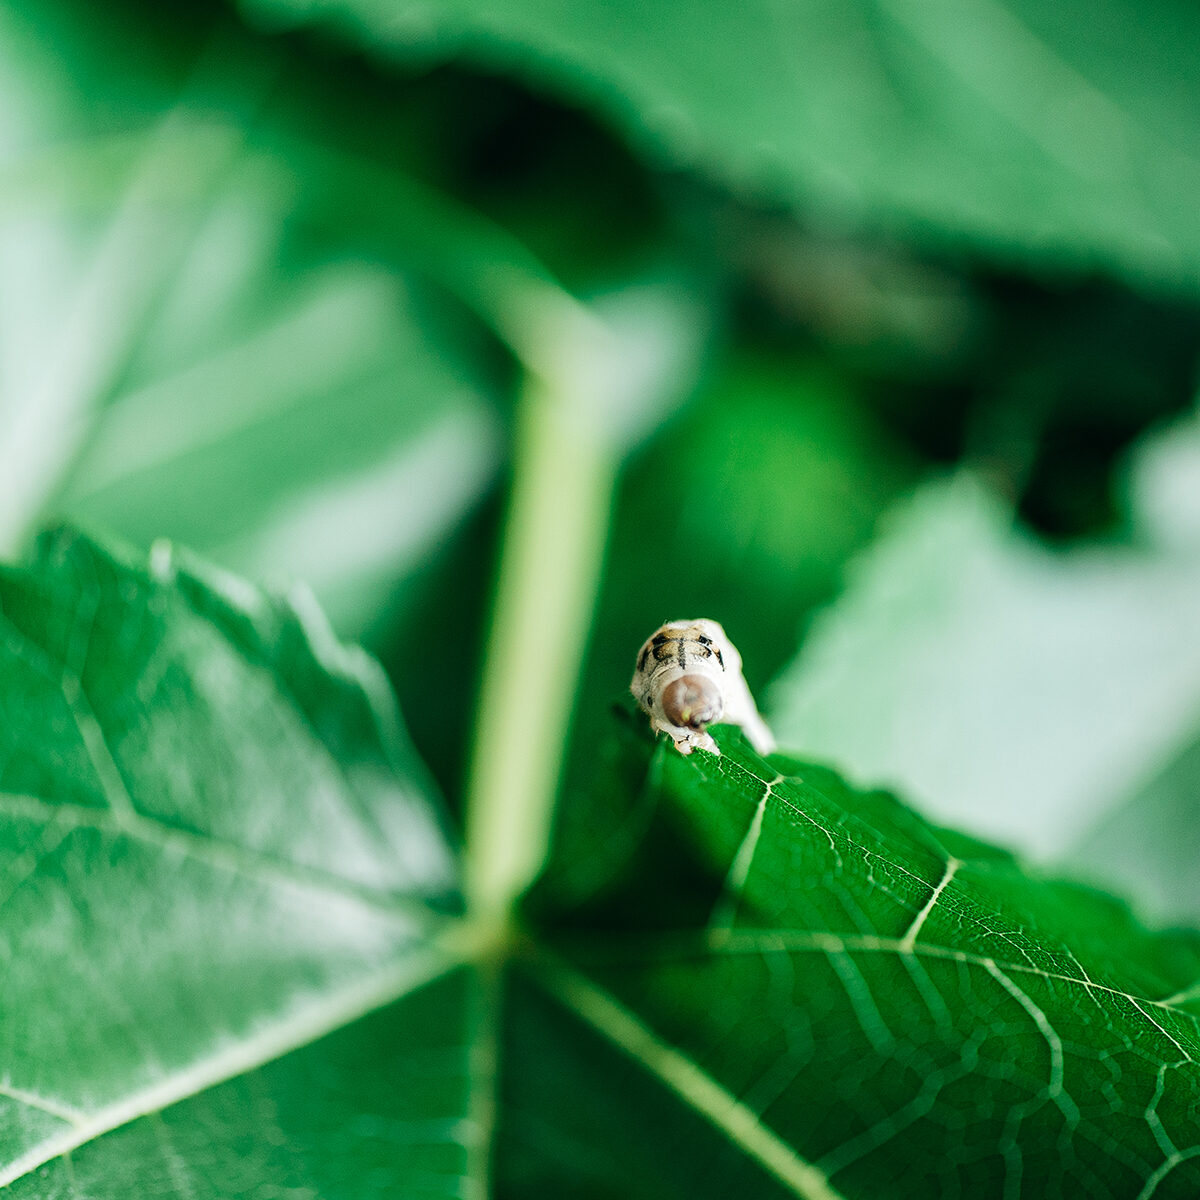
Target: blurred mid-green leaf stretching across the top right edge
1060,134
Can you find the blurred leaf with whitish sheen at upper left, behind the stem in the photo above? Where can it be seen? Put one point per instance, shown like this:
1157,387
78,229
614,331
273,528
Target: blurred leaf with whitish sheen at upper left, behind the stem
194,346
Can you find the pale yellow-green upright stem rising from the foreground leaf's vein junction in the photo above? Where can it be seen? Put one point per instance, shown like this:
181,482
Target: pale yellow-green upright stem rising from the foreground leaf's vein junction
550,568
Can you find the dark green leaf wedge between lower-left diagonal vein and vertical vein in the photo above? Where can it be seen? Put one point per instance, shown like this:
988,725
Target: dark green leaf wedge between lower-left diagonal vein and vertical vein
375,1111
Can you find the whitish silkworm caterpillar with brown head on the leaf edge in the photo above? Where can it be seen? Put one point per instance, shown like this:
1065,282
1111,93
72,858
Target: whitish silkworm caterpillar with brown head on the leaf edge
688,677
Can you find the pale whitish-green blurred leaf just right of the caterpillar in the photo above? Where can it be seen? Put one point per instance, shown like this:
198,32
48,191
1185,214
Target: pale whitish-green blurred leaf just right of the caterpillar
1006,688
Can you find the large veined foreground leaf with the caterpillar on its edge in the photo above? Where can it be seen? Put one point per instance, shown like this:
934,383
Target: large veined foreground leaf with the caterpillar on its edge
236,962
